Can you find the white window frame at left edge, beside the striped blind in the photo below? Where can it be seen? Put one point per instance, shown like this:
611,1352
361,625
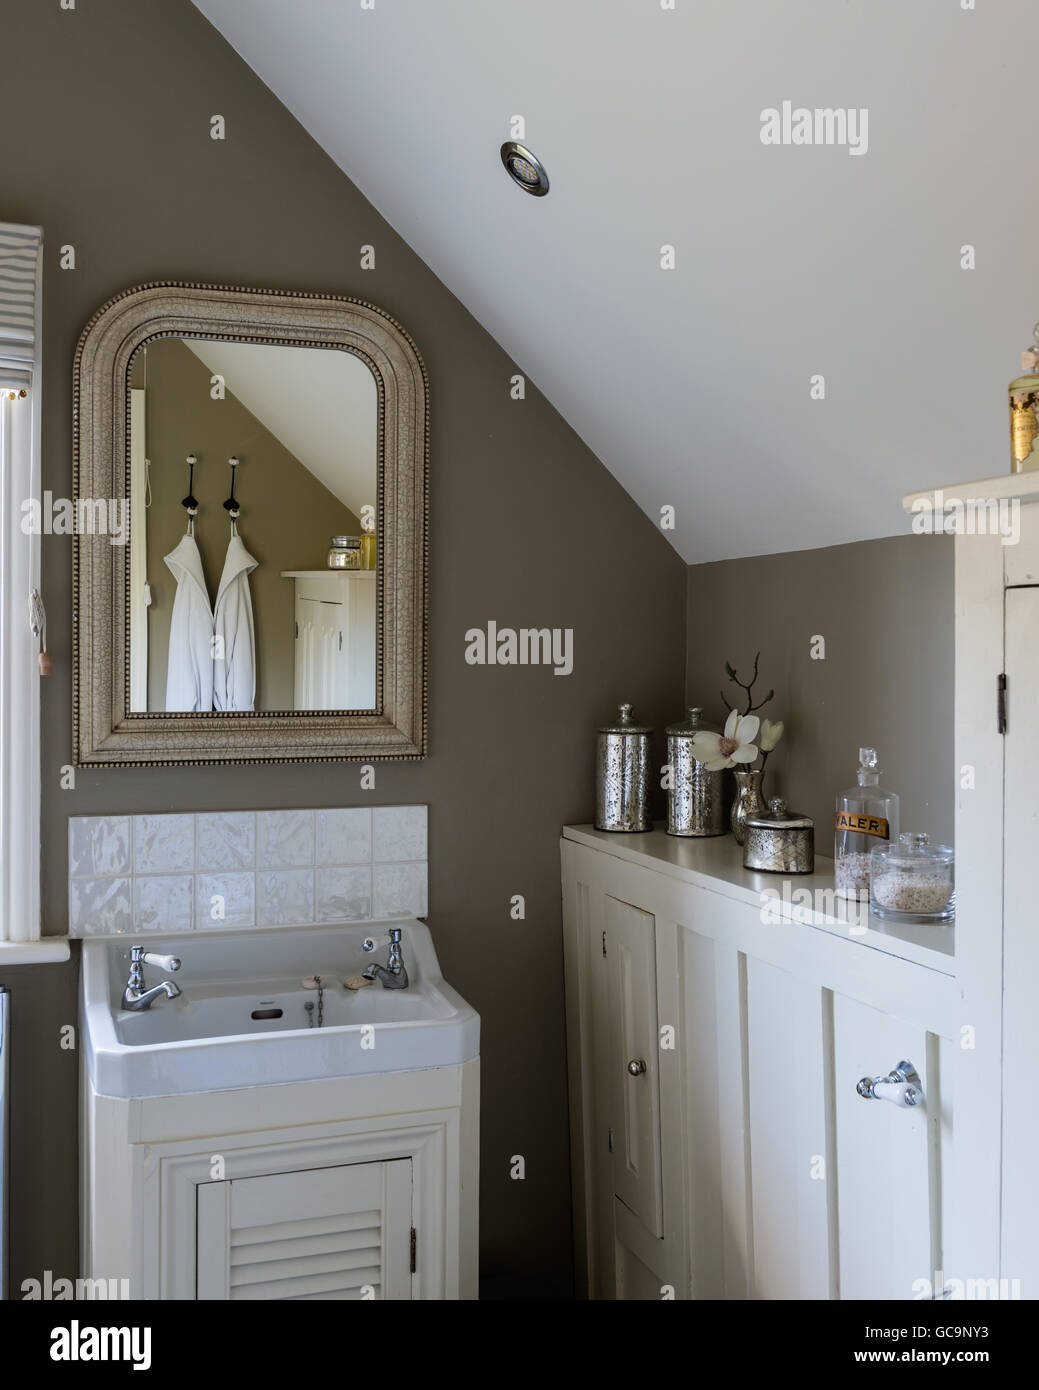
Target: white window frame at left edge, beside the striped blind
20,680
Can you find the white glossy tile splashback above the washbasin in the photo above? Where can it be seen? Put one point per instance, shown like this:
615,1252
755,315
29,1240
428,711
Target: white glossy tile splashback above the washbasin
245,869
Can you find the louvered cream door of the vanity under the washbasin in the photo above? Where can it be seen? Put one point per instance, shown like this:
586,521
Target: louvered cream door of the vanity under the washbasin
323,1234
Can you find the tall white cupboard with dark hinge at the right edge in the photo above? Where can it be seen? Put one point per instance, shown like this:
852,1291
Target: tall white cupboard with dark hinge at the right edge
997,607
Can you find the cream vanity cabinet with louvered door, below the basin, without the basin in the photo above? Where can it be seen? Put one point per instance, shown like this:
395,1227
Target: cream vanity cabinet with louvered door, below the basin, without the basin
361,1188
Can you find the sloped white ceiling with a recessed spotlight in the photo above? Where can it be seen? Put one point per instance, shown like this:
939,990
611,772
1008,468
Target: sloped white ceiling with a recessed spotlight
693,384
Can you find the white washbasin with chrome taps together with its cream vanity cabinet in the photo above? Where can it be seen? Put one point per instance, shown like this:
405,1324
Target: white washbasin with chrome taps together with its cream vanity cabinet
271,1135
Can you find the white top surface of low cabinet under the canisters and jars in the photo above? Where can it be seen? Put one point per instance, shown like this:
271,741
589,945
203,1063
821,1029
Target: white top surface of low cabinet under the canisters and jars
717,864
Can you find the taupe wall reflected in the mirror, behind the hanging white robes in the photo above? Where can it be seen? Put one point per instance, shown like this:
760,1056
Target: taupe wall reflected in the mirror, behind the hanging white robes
287,515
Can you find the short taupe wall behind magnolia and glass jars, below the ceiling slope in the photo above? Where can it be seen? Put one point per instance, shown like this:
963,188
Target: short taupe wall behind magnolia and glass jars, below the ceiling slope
885,610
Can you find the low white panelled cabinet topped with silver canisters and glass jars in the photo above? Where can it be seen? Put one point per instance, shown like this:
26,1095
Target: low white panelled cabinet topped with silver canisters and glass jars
720,1146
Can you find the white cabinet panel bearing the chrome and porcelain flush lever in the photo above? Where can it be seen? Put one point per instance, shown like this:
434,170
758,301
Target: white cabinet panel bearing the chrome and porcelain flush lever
888,1159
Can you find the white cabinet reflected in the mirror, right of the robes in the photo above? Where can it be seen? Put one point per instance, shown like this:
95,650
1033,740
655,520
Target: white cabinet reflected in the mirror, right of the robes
335,639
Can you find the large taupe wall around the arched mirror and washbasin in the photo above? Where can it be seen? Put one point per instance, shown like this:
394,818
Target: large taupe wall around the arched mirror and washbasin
112,106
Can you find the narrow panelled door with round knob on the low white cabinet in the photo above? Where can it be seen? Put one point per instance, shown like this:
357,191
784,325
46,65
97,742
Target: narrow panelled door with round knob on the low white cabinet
635,1096
